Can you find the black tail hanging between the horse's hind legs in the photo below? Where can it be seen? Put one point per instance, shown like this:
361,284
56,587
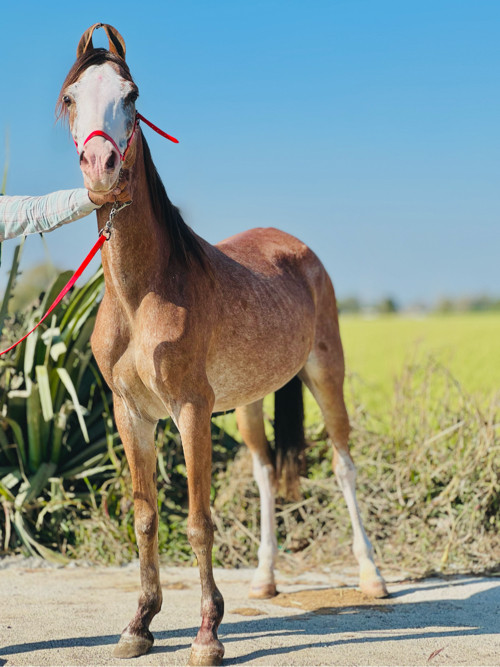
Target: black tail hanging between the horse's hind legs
289,438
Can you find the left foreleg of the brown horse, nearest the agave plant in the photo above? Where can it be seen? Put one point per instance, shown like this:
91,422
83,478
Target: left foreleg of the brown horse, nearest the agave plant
138,440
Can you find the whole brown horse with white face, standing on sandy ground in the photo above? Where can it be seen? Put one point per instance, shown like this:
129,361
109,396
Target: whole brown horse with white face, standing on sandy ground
187,328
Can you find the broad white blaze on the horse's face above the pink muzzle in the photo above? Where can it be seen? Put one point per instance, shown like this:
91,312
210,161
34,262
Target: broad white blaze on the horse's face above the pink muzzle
99,98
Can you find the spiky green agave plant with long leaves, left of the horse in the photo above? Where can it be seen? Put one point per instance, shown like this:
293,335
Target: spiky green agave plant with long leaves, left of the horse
55,420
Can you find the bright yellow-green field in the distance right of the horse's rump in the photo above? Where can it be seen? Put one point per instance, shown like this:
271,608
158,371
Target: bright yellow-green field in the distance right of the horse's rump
377,349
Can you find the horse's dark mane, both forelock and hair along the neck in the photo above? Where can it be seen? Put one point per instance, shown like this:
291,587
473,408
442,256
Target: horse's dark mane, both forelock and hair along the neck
185,244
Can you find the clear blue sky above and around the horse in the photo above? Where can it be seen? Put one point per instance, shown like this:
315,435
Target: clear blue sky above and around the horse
368,128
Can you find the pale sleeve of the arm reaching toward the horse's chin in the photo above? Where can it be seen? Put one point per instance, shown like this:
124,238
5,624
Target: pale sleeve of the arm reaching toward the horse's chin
29,215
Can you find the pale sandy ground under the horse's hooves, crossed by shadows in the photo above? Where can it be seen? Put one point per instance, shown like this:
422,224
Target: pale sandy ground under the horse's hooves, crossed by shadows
73,616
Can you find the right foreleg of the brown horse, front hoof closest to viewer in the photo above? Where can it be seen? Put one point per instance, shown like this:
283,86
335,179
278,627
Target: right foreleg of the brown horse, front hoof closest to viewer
194,427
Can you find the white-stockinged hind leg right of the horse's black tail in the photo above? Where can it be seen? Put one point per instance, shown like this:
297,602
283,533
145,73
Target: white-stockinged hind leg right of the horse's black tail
324,375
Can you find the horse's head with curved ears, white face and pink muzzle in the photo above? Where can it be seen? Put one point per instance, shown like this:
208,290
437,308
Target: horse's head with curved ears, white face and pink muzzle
98,97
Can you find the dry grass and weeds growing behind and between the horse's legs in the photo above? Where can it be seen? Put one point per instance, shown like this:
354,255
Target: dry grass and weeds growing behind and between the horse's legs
428,489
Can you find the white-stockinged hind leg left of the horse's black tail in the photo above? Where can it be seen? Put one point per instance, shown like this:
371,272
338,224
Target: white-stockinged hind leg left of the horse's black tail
251,426
